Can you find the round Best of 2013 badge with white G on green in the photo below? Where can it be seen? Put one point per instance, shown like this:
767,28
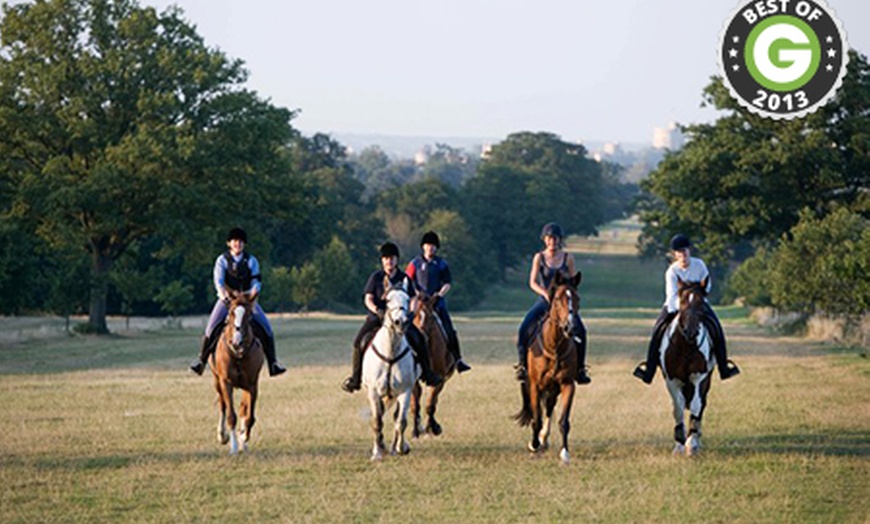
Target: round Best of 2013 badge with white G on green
783,59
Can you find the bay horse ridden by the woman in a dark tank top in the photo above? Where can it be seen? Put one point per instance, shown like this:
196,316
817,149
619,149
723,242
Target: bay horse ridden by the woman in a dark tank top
552,366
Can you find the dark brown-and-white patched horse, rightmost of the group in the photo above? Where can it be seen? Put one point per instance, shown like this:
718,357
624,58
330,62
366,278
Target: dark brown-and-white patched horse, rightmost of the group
688,361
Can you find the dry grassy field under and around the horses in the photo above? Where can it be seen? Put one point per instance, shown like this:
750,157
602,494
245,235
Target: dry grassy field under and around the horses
113,429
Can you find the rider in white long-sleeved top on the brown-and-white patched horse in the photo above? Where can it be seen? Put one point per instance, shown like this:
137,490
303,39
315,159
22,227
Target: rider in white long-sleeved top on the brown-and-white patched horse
688,269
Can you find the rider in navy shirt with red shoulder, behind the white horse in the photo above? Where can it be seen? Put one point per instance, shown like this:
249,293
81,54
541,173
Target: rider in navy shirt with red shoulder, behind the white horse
432,276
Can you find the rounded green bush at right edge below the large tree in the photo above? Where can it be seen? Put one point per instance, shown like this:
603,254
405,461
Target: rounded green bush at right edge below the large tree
824,266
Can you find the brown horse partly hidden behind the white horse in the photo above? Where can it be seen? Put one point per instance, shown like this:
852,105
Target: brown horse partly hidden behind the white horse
442,362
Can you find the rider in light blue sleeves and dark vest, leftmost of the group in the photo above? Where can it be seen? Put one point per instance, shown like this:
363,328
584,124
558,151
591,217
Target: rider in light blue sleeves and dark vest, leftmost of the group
238,270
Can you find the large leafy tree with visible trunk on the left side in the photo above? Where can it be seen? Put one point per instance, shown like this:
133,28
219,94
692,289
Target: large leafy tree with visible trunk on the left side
117,122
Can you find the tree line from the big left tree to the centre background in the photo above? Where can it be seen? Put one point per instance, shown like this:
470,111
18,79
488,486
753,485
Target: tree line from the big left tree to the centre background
128,148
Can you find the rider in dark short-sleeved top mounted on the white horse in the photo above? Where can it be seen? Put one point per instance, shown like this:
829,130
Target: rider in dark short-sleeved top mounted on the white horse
374,299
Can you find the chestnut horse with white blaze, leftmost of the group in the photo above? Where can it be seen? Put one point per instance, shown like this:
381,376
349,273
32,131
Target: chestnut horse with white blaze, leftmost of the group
236,363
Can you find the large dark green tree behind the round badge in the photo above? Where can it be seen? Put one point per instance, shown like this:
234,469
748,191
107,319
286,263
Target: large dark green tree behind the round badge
742,181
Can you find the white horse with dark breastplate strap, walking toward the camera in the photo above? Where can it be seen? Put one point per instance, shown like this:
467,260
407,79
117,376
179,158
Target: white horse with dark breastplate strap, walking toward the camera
389,372
